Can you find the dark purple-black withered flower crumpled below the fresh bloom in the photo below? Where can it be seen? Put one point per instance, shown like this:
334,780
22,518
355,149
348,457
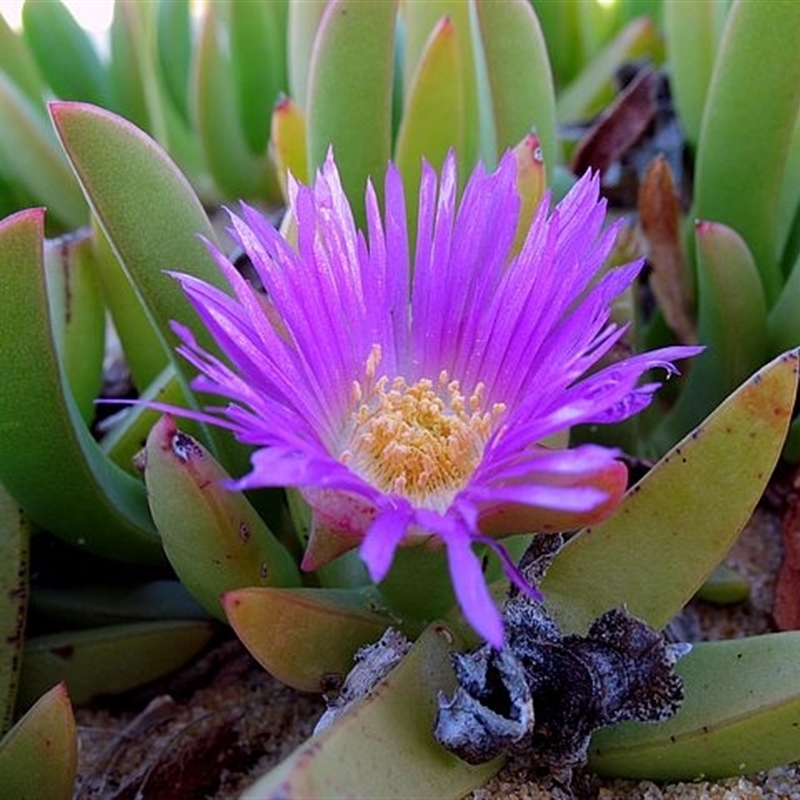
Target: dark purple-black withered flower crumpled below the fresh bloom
544,693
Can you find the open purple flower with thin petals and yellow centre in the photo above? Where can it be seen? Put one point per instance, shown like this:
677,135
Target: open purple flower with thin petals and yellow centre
407,395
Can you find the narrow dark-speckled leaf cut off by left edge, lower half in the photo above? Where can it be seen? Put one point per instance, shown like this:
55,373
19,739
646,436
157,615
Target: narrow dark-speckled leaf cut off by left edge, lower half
14,544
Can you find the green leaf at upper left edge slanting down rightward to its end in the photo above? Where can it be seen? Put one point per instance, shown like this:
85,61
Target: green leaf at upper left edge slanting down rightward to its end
30,153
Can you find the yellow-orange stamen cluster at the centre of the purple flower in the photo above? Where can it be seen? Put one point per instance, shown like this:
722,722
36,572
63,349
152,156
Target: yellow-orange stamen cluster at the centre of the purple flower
423,440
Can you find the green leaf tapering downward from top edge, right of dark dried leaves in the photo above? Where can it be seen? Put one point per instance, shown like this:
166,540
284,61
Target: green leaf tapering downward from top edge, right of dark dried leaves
692,32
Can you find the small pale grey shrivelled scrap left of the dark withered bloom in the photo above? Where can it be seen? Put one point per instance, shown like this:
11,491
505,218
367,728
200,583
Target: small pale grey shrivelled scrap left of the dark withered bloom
372,664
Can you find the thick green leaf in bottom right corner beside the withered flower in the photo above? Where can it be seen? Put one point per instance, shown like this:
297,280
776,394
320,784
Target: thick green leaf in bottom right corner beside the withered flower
740,714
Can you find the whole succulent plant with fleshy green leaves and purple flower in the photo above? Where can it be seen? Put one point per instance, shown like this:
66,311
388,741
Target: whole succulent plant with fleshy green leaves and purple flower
132,164
